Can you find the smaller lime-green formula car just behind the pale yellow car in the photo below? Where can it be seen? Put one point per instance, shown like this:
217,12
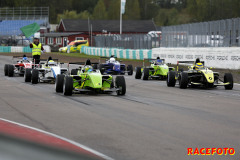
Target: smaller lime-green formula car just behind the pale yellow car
157,70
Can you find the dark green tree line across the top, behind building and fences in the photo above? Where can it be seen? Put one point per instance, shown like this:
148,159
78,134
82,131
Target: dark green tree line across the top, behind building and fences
163,12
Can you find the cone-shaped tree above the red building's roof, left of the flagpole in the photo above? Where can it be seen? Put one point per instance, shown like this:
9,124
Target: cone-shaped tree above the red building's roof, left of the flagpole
99,11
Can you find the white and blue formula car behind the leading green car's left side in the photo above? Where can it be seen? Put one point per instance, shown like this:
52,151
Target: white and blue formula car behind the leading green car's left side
47,72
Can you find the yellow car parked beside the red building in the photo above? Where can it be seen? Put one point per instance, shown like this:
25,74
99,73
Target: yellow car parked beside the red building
74,46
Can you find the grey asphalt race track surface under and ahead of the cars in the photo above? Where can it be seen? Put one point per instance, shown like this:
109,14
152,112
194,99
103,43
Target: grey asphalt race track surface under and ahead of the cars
151,122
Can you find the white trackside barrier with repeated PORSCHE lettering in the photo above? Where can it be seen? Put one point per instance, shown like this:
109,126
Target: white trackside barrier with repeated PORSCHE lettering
220,57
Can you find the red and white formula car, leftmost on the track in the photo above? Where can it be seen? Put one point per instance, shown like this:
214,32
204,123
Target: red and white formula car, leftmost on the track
18,68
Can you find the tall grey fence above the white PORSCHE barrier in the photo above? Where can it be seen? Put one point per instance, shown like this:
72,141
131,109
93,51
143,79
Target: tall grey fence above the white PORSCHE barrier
222,33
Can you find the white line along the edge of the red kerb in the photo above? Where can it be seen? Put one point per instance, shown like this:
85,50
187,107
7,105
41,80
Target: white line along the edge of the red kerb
62,138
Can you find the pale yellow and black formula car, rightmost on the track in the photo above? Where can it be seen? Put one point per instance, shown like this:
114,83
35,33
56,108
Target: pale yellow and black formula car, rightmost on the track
198,75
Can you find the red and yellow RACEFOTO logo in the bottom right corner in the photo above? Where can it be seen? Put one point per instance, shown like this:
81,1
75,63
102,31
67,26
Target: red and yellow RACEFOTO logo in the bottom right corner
211,151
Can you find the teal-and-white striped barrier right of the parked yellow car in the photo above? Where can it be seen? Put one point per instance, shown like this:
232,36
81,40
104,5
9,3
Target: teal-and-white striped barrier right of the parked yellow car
120,53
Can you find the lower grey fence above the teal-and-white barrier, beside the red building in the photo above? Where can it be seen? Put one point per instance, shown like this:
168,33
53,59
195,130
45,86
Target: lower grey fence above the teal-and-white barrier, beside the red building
128,41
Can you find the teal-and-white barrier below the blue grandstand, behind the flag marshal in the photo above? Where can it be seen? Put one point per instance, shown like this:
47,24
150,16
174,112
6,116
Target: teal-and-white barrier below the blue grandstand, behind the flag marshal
19,49
